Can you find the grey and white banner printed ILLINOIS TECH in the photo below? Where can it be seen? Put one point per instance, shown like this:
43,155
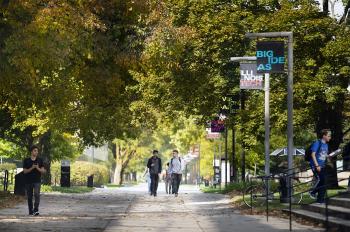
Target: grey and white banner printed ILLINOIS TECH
250,79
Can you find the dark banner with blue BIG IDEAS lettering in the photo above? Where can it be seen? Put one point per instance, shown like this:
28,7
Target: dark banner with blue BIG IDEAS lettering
270,56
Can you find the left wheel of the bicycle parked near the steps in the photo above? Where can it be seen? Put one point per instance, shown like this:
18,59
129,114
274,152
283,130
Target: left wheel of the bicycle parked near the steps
254,195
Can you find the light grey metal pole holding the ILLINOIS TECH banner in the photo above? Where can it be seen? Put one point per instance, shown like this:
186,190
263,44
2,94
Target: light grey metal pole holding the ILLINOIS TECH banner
267,130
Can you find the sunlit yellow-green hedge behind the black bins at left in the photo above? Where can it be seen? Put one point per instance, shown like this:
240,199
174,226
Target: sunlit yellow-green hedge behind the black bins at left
80,170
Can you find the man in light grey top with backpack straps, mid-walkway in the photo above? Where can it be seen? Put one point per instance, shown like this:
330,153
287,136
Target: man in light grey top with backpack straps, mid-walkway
176,167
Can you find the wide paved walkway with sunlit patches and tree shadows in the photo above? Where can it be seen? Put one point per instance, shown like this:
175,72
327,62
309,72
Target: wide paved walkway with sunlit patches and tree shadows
131,209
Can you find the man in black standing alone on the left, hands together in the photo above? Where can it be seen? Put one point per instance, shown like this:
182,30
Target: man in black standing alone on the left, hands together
33,168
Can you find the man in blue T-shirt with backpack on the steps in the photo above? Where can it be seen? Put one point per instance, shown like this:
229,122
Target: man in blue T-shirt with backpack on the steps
317,154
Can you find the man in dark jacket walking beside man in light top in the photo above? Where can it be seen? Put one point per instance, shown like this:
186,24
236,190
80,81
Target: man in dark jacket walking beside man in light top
155,167
